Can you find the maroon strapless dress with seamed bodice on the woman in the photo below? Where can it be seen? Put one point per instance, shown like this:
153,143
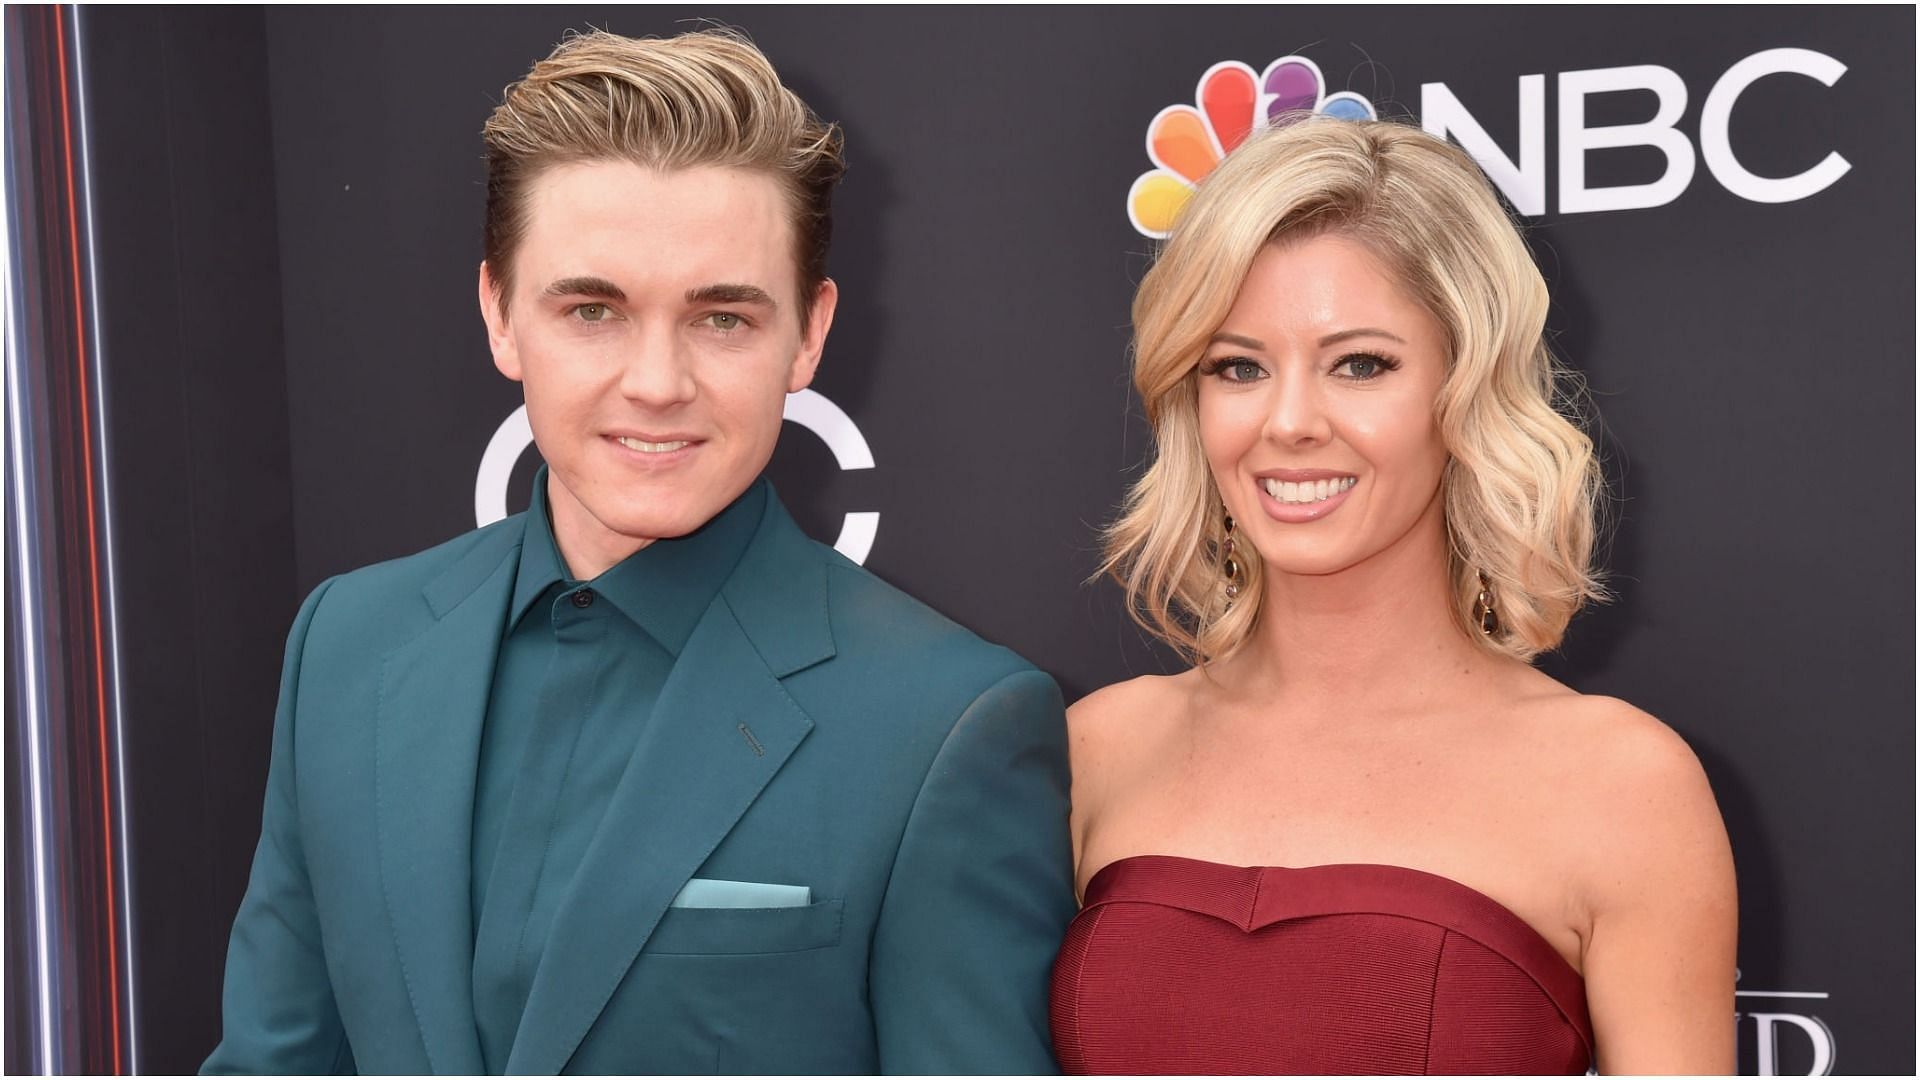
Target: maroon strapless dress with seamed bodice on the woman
1178,966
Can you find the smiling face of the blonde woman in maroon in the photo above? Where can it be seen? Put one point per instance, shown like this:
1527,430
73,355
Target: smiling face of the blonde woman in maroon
1318,408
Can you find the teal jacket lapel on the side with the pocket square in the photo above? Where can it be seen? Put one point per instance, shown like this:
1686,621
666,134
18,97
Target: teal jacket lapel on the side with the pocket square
721,729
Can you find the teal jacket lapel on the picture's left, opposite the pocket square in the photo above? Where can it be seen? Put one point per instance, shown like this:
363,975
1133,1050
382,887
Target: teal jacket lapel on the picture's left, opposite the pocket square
427,758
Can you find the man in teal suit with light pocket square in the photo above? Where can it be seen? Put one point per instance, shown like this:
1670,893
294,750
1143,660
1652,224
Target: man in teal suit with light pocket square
644,781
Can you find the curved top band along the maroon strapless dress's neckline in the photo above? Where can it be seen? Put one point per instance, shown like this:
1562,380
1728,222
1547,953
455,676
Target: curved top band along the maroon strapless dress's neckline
1245,898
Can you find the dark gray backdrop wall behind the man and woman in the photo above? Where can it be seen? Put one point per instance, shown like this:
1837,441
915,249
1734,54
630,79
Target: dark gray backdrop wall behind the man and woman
291,224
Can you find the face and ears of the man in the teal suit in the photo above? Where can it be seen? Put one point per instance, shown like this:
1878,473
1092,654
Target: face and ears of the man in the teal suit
656,324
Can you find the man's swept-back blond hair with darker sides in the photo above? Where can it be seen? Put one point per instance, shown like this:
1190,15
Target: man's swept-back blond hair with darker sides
700,99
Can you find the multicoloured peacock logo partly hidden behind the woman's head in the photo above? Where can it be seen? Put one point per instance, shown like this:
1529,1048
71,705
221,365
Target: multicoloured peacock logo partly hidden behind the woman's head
1188,141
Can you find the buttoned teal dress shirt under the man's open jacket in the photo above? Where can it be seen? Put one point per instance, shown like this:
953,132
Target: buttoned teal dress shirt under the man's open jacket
579,672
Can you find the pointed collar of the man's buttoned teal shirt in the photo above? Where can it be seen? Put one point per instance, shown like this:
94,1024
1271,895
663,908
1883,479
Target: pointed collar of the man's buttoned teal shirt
665,587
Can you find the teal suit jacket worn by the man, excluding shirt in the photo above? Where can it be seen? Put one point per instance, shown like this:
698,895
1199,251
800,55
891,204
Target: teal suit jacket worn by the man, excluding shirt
821,729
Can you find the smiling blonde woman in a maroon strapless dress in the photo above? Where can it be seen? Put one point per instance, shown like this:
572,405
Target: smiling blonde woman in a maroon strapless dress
1362,833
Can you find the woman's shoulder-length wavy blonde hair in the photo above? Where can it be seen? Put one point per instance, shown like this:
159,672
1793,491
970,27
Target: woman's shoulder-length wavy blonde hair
1522,487
